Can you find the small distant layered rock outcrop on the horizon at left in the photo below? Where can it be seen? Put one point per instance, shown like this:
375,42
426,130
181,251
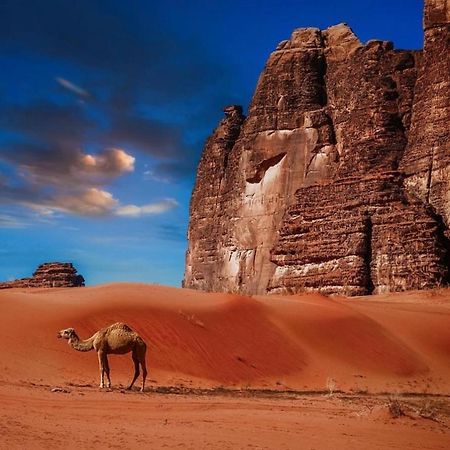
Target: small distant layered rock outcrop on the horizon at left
49,275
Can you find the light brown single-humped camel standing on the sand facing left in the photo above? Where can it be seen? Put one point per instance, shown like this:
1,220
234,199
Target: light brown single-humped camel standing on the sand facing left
119,339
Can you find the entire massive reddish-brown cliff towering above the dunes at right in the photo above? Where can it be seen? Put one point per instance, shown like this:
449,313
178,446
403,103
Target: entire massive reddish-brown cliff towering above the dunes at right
339,178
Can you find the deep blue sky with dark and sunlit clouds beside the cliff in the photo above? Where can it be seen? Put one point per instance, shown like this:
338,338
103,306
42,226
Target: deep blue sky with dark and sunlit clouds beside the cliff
104,108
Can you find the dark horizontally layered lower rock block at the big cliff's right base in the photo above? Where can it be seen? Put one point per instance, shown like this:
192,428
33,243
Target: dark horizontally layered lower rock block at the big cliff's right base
370,238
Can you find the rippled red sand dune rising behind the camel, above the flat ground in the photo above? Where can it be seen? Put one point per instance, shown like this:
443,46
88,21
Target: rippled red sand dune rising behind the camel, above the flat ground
299,342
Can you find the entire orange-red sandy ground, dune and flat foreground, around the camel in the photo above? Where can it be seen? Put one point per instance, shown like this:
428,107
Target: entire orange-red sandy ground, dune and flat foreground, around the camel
228,372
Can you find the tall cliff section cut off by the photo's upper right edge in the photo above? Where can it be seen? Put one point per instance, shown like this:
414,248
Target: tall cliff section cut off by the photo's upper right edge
426,162
